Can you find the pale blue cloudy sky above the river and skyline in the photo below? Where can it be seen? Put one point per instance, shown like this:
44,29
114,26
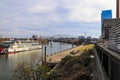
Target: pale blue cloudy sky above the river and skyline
23,18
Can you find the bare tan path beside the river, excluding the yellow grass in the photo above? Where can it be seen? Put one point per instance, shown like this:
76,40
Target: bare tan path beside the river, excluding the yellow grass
57,57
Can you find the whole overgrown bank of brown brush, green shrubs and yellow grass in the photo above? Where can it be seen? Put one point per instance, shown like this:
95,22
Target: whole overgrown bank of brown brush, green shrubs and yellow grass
71,67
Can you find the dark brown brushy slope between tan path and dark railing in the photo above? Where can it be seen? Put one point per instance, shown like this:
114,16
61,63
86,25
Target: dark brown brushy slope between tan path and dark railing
75,68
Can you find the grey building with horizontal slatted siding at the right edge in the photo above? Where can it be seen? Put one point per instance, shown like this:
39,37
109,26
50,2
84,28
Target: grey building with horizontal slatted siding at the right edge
114,35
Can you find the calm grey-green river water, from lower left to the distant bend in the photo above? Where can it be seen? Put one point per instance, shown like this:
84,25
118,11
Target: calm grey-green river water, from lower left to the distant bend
8,63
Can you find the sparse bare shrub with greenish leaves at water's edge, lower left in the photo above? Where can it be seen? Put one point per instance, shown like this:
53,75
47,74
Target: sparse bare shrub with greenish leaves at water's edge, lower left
31,71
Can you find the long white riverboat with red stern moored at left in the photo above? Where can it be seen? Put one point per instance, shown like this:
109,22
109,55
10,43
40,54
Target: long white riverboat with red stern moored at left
19,46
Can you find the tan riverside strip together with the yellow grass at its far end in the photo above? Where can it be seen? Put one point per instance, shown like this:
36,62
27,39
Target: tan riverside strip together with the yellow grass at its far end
57,57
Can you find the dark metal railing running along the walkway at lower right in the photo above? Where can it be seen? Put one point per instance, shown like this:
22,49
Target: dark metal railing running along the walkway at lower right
110,61
